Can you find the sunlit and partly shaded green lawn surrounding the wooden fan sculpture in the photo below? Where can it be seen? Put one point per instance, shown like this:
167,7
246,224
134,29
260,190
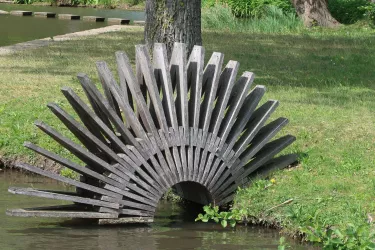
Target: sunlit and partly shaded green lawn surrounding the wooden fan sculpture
325,85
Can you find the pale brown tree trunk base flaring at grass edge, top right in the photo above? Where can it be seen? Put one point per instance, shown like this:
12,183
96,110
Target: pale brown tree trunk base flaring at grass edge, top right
315,12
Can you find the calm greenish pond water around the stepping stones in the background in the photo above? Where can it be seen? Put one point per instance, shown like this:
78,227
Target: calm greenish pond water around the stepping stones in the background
16,29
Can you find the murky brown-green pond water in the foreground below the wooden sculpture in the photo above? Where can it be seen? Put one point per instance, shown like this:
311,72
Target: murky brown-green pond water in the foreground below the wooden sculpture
173,227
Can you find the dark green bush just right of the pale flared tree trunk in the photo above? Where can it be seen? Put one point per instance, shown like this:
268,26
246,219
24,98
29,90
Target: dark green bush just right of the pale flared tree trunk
347,11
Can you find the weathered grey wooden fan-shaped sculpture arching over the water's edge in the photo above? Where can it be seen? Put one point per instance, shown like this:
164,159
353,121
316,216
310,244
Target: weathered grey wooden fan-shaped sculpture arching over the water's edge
172,124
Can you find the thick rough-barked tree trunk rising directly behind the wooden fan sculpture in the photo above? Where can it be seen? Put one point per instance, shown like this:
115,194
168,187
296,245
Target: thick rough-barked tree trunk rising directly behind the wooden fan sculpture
169,21
